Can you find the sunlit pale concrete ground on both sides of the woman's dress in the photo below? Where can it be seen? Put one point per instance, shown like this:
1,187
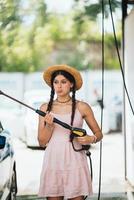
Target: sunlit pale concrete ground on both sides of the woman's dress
113,184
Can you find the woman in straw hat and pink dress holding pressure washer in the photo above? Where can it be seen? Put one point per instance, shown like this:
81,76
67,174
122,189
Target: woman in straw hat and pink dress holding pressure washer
65,172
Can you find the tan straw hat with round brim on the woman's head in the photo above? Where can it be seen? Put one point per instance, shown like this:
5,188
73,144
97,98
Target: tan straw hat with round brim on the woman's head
74,72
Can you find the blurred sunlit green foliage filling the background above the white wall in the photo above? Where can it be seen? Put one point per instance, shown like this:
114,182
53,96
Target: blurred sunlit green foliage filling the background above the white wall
31,38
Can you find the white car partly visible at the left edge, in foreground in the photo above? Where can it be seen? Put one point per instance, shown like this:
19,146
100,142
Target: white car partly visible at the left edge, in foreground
8,176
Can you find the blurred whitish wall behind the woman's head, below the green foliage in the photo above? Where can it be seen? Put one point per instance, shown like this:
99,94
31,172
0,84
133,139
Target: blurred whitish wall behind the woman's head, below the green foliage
15,84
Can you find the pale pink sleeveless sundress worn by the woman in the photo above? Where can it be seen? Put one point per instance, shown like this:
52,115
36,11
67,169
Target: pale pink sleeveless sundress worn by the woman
65,172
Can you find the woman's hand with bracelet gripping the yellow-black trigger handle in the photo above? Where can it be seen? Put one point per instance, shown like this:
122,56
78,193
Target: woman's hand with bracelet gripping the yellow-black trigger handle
85,140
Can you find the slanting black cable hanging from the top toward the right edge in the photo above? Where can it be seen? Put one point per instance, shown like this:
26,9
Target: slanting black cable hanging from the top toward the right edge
117,49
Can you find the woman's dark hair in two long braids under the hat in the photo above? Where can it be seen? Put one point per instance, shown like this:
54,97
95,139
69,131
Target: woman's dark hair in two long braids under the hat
73,89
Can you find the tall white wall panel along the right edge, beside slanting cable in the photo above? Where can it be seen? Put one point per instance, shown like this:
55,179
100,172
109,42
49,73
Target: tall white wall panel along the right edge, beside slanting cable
129,76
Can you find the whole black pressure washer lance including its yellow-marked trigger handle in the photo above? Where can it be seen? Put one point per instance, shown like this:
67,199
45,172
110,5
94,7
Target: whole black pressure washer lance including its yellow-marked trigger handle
75,132
